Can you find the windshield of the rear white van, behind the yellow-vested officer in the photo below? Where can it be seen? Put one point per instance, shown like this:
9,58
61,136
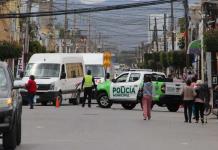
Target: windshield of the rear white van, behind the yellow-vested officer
97,70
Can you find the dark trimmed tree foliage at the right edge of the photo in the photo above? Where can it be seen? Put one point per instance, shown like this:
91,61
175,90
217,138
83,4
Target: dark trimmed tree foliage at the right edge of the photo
211,40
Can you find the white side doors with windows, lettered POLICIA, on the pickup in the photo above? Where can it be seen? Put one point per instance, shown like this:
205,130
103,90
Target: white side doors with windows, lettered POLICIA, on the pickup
125,87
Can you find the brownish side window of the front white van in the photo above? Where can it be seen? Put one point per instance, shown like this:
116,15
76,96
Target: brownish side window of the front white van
74,70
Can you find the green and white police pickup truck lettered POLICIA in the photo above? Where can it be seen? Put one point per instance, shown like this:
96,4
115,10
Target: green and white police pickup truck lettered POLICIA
126,87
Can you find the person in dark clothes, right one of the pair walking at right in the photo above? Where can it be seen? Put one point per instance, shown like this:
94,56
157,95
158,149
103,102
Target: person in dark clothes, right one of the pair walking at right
201,99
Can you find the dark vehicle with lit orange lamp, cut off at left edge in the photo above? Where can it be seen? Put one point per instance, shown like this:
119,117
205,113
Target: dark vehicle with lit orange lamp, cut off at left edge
10,109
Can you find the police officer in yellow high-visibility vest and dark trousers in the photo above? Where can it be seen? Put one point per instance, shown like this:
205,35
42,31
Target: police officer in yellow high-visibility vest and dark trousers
88,83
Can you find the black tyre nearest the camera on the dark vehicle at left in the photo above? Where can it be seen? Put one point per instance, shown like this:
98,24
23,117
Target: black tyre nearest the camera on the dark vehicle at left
9,138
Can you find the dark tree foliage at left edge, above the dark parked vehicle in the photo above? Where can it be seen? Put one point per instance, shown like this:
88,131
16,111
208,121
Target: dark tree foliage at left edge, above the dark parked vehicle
9,50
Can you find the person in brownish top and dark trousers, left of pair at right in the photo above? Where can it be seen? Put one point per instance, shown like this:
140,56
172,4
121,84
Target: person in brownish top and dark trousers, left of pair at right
188,99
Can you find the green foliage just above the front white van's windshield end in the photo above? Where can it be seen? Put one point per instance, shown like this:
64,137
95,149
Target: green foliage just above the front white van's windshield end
35,47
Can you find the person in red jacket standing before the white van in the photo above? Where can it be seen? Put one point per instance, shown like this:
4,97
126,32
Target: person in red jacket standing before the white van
31,88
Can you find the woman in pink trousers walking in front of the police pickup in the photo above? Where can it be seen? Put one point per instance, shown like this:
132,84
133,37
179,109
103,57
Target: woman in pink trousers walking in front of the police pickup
147,98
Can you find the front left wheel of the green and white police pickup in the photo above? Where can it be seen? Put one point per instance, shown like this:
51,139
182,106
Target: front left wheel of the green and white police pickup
103,101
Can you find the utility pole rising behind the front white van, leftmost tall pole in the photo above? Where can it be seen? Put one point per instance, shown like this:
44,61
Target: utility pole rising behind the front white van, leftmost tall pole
26,36
